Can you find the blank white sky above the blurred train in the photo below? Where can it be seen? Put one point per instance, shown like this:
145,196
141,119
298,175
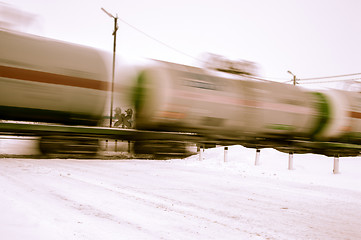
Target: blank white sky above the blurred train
311,38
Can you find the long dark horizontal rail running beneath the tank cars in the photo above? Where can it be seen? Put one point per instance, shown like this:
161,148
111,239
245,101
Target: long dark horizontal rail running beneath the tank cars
289,145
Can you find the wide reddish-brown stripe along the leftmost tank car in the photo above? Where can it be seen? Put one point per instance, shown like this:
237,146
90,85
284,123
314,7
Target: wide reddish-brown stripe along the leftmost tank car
45,77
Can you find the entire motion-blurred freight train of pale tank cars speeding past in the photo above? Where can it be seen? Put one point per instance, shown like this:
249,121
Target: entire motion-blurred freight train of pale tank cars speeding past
44,80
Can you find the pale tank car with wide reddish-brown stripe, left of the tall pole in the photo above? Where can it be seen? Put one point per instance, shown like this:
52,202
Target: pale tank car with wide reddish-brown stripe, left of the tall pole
46,80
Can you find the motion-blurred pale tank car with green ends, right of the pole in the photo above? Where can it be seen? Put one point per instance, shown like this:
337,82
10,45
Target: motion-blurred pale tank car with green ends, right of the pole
181,98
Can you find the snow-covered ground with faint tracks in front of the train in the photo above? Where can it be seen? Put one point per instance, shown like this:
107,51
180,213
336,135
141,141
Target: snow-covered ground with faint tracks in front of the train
179,199
